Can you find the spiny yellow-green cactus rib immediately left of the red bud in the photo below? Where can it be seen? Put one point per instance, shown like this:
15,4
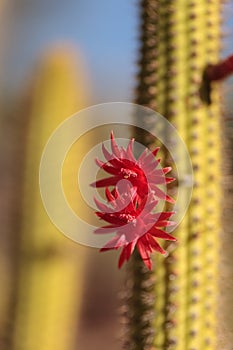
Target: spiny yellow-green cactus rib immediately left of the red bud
196,114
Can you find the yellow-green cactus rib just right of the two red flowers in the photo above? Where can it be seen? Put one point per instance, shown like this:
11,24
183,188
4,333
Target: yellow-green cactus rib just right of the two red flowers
174,109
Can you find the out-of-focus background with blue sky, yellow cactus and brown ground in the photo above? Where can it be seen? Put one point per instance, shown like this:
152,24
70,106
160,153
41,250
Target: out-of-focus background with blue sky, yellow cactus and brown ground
58,57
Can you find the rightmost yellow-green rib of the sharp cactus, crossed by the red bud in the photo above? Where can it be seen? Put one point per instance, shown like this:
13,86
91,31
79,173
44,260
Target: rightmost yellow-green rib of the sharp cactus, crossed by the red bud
213,177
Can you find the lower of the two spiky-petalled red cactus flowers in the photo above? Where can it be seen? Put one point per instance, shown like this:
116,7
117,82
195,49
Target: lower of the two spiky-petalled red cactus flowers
135,226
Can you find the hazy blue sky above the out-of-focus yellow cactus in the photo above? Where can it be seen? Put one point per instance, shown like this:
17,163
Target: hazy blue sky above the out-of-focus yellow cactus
105,31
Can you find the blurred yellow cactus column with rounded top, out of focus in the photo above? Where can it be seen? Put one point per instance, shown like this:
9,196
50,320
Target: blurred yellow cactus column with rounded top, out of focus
50,271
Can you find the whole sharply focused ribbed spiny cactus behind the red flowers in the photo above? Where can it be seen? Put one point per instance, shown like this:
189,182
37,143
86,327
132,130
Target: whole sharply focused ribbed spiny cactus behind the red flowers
175,306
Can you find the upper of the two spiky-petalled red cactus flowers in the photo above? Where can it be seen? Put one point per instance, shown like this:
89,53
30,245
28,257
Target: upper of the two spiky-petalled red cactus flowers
144,174
